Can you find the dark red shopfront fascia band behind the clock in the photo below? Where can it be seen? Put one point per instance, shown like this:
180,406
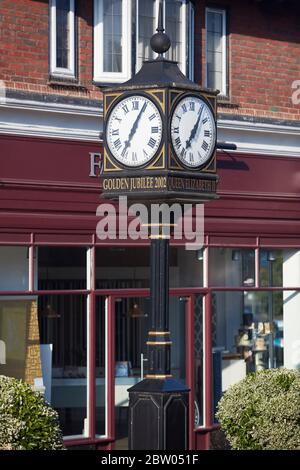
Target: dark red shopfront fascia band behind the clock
46,189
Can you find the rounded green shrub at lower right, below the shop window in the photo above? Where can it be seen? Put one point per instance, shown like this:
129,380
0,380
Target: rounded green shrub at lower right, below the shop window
262,411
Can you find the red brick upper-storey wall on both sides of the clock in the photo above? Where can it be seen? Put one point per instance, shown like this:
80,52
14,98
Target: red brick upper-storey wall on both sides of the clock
263,46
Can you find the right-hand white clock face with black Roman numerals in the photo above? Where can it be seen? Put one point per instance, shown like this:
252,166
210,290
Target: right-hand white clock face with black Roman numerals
193,131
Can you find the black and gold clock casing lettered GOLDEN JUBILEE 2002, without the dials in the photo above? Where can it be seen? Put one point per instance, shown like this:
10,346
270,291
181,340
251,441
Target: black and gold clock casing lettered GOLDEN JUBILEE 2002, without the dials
165,176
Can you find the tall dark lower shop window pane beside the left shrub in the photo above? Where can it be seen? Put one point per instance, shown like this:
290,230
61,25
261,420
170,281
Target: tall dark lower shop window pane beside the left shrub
63,337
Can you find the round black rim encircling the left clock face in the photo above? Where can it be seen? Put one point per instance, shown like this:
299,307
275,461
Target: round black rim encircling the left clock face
115,103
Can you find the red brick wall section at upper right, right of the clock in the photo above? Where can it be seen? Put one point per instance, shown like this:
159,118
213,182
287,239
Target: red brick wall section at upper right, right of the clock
264,56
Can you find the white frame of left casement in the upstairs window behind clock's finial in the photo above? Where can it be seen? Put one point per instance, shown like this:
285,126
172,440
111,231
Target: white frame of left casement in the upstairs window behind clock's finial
99,74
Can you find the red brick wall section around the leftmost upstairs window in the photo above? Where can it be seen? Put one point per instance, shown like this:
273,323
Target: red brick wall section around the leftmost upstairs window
24,48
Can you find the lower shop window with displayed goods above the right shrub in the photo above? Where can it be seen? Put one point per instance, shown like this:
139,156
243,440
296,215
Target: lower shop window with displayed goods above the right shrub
248,334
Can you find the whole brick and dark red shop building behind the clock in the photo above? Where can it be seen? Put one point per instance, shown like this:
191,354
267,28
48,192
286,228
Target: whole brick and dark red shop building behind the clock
74,308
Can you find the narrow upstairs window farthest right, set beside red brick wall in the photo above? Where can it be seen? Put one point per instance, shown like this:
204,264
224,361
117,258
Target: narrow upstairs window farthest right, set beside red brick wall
216,54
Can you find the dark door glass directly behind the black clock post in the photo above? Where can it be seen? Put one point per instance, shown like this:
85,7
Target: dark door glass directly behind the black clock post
132,323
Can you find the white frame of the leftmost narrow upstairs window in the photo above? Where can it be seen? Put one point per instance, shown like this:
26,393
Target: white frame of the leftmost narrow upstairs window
61,71
